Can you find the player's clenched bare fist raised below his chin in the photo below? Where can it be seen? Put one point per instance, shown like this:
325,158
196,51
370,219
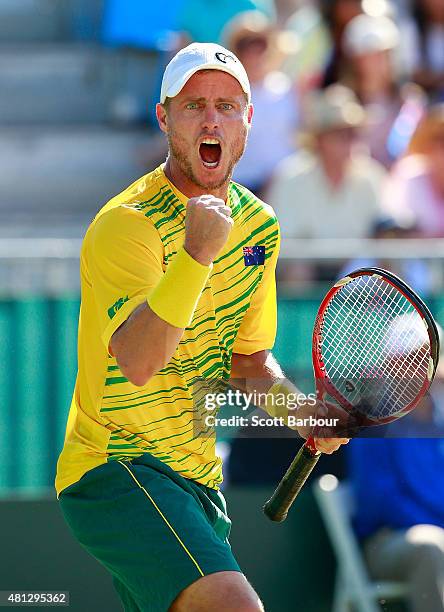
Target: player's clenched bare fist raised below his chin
208,223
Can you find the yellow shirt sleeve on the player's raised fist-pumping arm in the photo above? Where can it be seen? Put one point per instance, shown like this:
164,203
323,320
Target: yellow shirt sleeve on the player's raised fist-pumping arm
124,265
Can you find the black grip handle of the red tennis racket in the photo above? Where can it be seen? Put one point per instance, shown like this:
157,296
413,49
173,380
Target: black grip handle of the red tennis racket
277,507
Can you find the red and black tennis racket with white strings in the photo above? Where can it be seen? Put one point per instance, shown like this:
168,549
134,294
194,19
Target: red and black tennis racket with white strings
375,352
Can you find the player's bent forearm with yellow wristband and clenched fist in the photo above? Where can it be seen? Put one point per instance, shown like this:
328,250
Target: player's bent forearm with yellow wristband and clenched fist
145,343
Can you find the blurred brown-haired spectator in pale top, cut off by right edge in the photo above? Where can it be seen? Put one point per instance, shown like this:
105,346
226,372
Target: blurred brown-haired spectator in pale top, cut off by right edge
415,191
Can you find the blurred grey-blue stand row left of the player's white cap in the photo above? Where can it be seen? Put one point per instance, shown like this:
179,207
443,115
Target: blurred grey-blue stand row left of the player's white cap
50,84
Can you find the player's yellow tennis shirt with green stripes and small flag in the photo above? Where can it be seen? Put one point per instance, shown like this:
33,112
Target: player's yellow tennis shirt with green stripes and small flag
124,254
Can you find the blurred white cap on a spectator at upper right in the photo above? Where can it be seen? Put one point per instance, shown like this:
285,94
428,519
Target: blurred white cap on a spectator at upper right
366,34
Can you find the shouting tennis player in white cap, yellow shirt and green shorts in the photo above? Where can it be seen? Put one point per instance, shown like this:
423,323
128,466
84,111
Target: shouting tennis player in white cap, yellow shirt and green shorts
177,280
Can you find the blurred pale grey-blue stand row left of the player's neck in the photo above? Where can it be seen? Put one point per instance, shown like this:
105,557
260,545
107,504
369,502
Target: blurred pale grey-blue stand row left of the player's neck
51,175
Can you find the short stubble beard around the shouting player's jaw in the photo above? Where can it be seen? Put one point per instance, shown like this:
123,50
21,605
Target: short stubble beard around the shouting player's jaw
177,147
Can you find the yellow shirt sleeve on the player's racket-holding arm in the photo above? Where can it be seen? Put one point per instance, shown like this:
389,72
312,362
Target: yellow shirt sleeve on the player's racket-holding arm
257,331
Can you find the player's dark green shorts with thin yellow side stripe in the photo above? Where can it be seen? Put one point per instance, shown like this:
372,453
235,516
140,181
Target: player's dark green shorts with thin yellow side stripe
155,531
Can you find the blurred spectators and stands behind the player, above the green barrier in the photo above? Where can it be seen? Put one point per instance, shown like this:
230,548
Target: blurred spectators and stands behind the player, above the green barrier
347,141
